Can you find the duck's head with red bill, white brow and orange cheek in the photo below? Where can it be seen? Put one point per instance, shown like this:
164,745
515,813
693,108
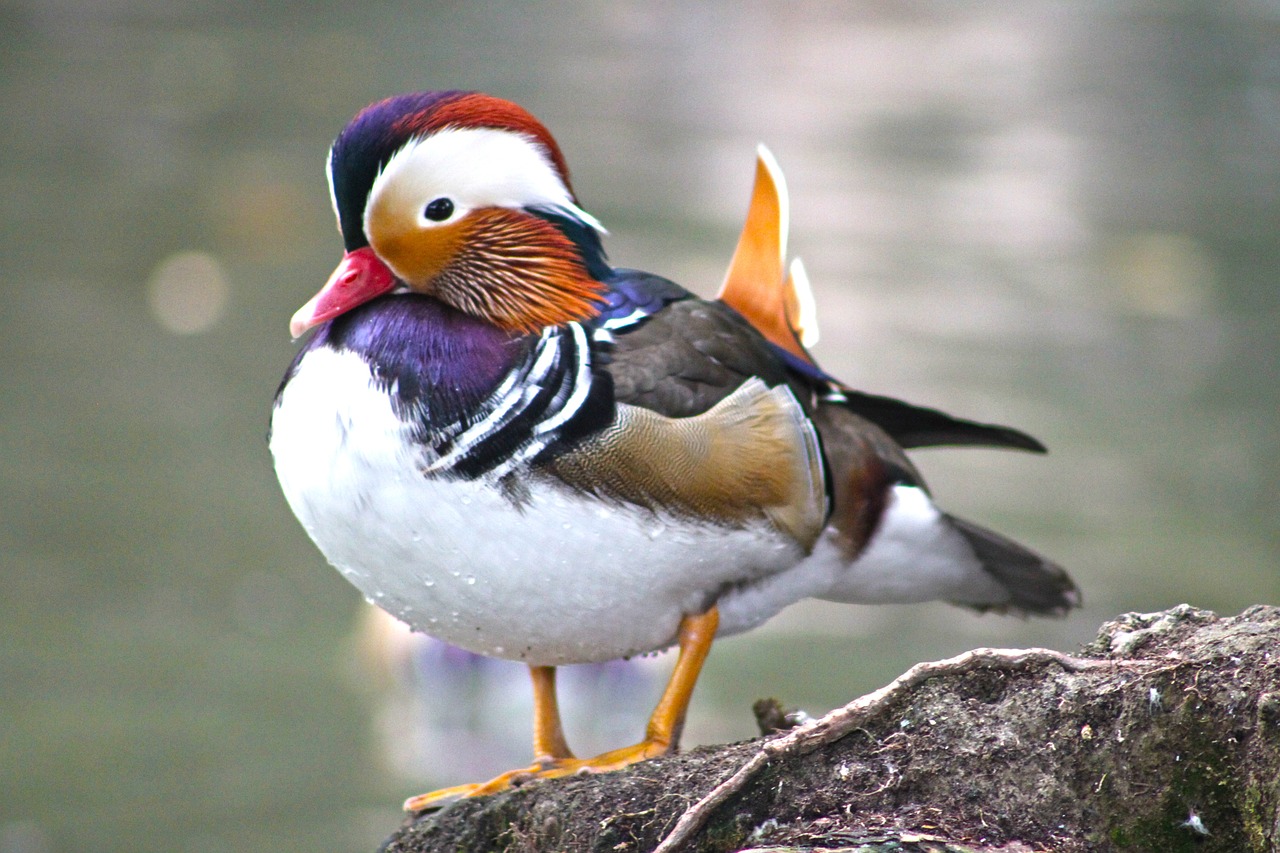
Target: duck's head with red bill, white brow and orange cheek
464,198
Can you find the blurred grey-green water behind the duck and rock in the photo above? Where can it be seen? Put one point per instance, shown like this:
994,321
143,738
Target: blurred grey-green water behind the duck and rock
1058,216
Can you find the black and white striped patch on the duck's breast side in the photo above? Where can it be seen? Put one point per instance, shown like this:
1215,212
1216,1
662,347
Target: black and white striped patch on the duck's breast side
552,398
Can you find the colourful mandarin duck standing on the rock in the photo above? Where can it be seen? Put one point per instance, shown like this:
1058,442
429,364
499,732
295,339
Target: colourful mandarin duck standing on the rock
514,446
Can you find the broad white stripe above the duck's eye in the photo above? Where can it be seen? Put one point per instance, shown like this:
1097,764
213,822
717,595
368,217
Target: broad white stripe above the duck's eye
474,168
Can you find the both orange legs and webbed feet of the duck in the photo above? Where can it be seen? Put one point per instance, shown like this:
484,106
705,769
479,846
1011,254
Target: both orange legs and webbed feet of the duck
554,758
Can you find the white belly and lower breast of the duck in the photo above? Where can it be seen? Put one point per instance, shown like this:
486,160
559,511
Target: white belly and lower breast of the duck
566,578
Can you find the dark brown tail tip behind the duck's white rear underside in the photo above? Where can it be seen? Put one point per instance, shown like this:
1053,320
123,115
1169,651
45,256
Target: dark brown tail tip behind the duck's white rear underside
1035,585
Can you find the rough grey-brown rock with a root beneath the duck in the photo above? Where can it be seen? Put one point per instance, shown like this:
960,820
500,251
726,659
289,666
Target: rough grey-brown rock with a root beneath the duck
1164,735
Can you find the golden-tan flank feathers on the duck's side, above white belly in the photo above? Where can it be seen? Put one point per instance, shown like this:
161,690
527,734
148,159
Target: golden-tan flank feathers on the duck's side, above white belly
752,458
